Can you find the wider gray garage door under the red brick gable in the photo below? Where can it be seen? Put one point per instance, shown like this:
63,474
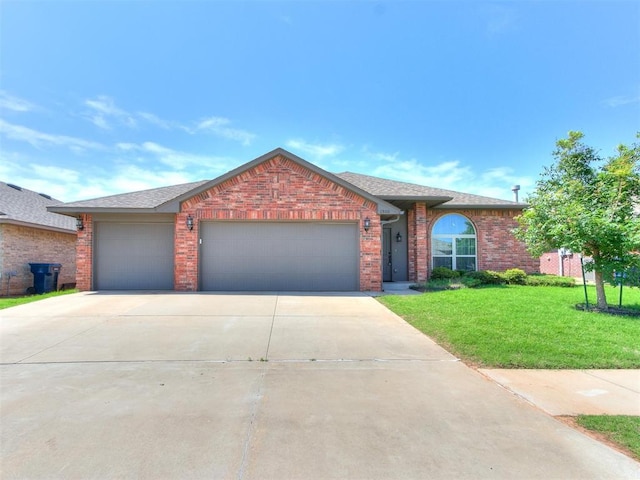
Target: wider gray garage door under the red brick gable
254,256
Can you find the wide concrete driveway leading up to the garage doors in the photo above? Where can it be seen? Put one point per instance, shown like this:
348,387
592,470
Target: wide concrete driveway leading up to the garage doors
271,386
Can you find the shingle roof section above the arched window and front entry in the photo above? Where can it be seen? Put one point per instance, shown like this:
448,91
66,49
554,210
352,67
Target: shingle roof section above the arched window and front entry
393,189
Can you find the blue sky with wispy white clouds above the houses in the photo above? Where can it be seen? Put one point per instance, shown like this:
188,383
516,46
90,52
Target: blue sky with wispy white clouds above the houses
103,97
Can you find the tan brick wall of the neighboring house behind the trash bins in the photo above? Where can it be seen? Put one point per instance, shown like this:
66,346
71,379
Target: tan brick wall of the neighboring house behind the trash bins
21,245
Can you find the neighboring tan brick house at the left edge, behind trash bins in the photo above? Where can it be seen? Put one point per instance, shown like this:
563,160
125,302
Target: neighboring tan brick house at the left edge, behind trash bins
31,234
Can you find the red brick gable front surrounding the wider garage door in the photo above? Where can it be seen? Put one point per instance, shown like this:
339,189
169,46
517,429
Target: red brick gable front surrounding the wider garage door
276,190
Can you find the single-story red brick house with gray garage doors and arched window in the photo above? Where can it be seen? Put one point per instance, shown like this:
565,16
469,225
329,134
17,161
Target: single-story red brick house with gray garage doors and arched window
282,223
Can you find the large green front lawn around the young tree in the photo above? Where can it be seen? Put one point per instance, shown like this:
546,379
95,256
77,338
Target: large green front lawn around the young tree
525,327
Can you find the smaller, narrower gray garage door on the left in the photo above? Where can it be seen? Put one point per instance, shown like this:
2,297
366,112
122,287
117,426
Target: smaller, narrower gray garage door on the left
133,256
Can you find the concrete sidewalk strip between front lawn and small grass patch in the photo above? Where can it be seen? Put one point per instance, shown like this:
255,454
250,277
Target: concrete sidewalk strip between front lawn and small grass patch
574,392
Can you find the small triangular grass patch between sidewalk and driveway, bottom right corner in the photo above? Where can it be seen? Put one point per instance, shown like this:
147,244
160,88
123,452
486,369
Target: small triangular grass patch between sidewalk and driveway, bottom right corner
621,429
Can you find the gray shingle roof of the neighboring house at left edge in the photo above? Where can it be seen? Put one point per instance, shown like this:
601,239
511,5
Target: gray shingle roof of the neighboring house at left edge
22,206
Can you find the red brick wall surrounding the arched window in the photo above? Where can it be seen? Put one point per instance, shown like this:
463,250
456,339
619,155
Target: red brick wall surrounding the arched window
498,249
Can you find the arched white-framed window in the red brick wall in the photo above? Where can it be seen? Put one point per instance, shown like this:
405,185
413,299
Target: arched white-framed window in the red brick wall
453,242
